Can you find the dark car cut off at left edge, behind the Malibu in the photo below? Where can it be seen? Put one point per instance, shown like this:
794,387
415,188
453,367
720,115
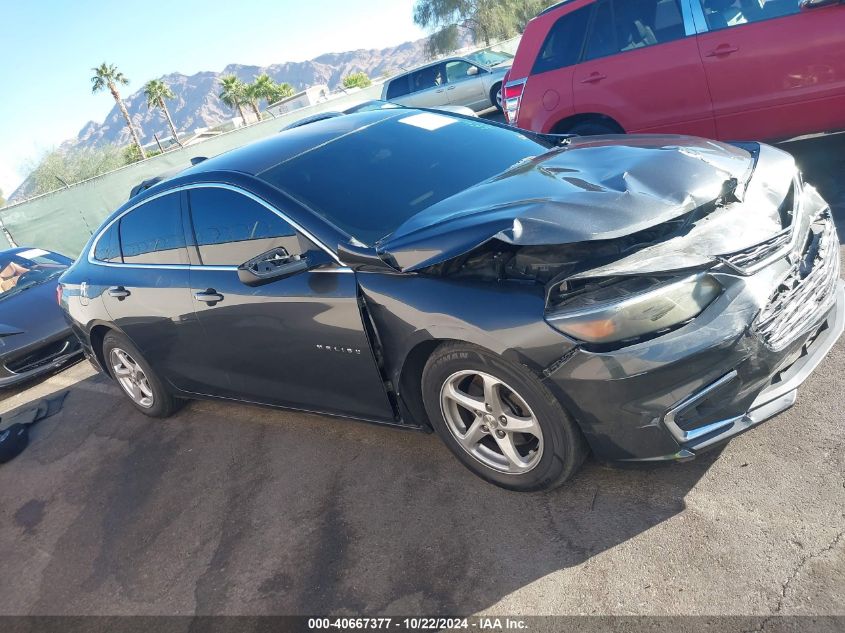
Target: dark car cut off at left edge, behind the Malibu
34,336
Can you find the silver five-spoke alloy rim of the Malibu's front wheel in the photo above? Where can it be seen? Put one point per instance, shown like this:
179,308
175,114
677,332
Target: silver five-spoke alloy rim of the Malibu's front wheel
491,421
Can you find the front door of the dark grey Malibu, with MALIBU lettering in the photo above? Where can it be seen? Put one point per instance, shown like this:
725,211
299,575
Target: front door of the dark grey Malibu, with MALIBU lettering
297,341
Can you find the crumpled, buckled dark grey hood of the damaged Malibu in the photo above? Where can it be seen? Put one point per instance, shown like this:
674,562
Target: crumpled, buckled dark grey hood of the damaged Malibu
595,188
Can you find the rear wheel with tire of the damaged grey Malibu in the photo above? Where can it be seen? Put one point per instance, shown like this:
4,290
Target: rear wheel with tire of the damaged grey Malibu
151,397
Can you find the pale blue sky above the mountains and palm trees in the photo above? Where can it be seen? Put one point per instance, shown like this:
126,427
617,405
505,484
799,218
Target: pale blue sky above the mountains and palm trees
47,50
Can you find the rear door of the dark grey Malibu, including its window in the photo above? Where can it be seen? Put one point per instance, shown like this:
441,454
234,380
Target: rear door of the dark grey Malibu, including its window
146,292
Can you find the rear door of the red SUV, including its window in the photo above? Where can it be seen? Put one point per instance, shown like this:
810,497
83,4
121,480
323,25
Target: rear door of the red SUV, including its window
642,68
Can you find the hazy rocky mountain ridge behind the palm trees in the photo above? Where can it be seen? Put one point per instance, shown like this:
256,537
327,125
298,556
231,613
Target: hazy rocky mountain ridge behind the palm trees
196,103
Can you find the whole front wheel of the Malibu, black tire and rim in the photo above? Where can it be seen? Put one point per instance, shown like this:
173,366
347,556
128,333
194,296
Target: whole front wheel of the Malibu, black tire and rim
458,377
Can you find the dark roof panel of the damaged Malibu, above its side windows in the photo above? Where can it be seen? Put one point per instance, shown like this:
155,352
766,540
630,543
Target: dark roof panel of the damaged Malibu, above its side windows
261,155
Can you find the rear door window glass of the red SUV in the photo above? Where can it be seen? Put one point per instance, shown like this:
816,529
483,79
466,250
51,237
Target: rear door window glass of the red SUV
625,25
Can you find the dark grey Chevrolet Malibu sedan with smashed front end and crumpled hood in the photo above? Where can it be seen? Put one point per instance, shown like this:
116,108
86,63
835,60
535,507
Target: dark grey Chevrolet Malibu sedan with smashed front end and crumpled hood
528,297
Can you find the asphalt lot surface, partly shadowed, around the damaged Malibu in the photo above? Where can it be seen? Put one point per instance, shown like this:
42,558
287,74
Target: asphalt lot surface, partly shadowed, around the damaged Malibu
242,510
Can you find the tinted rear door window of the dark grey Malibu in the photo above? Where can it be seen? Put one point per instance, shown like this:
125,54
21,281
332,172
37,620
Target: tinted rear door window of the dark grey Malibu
152,233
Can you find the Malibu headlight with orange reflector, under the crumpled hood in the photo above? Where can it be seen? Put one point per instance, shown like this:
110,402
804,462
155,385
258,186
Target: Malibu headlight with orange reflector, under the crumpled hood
634,307
